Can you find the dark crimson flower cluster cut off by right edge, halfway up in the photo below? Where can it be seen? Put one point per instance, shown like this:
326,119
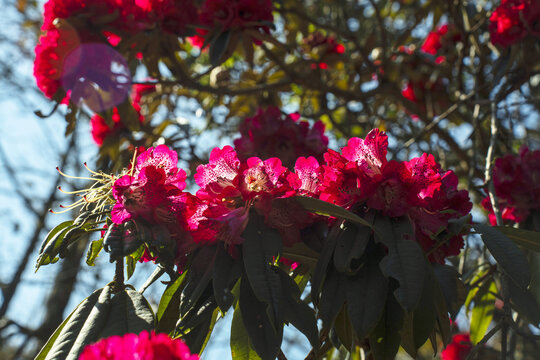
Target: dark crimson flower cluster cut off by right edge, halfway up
516,179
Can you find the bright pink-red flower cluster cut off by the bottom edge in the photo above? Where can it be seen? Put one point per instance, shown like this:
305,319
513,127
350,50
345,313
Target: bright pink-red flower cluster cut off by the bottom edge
143,346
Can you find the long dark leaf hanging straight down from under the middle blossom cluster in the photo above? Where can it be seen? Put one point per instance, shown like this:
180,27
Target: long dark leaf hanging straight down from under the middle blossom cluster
262,245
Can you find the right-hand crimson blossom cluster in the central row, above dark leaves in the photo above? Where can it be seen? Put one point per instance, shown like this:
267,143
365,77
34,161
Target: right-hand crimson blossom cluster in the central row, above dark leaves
418,189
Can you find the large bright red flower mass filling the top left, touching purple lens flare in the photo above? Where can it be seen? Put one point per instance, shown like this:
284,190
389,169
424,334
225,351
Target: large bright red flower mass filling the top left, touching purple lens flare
70,24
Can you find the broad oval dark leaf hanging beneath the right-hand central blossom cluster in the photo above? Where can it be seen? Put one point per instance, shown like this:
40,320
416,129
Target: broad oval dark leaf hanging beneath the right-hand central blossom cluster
366,294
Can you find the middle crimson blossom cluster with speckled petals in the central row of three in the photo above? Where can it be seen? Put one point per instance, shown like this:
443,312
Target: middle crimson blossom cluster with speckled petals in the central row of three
231,189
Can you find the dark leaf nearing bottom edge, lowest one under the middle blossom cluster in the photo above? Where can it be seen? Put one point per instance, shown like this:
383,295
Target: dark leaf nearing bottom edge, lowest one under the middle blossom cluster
264,335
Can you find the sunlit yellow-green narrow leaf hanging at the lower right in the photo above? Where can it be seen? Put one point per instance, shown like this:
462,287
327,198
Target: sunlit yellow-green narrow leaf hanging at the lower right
482,312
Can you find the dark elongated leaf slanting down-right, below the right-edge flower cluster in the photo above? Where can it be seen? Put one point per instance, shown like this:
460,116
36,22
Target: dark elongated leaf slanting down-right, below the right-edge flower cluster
510,258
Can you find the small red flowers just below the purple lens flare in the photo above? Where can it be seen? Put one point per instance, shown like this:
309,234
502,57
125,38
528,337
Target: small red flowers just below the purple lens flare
99,128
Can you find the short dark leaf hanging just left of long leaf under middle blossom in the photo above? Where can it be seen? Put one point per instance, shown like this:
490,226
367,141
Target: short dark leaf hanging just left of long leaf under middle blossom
226,272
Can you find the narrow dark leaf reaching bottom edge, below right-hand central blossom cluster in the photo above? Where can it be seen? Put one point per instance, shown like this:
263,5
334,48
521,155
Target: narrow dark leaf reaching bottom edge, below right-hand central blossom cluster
384,340
